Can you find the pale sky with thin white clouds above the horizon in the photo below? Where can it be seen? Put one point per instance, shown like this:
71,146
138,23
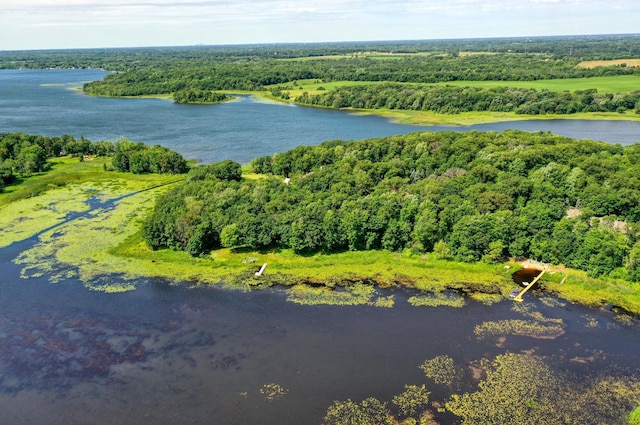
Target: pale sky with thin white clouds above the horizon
62,24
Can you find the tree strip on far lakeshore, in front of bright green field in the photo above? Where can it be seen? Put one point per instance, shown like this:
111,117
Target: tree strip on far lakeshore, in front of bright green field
453,100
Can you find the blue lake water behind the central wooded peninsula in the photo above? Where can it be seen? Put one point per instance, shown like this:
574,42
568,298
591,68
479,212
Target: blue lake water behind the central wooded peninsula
44,102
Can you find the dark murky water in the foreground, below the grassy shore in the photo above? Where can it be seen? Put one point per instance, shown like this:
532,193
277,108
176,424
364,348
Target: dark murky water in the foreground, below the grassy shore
168,354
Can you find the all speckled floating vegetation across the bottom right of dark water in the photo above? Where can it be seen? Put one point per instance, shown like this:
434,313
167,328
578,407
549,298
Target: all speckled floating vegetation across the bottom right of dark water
516,389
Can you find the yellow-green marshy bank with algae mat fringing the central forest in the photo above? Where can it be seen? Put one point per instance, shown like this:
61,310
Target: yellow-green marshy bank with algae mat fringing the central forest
104,249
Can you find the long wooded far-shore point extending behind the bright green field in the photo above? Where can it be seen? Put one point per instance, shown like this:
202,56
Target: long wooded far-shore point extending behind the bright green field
254,74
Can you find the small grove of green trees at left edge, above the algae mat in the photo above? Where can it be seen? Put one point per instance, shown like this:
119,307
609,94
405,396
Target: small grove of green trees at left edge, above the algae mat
23,154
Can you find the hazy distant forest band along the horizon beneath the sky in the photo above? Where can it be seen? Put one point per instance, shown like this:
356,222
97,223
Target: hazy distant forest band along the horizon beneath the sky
581,47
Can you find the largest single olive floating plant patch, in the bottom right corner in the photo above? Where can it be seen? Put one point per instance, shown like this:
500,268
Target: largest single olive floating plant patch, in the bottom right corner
520,389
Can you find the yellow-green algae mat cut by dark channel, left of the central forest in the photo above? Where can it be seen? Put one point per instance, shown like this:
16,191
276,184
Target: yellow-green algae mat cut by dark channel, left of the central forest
74,229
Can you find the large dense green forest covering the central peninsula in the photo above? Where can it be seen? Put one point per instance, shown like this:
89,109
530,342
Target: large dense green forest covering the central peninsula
469,196
